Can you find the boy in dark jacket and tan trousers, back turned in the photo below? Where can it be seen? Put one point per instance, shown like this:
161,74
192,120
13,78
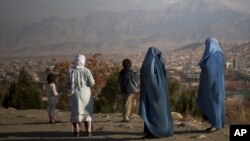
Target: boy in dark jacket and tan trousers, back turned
128,87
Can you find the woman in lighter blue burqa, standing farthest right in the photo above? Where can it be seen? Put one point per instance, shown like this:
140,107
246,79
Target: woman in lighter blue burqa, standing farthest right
211,91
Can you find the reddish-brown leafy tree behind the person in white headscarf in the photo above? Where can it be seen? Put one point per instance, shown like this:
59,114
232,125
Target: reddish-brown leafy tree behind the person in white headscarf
100,69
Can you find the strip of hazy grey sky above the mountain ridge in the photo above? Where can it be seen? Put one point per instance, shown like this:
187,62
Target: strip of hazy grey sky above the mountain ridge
35,10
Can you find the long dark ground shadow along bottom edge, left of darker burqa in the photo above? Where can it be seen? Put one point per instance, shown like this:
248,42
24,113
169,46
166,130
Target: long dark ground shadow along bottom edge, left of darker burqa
58,135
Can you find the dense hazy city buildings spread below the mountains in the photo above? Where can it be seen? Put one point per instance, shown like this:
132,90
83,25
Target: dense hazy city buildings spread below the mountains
181,65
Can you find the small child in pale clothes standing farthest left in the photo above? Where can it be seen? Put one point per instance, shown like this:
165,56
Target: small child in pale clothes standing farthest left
52,97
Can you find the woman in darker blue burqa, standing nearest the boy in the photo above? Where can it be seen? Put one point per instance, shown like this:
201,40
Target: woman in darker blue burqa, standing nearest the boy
154,101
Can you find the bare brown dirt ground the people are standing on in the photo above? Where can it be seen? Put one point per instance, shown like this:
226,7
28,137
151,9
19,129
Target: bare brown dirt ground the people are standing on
33,125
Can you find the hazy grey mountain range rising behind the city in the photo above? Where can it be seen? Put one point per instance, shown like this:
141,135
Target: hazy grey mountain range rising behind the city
177,25
